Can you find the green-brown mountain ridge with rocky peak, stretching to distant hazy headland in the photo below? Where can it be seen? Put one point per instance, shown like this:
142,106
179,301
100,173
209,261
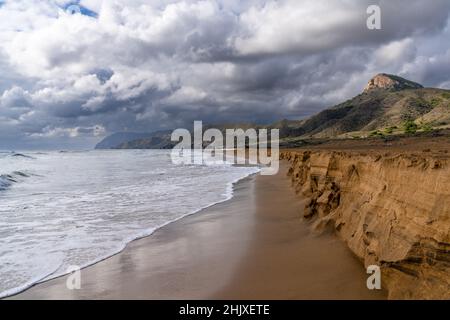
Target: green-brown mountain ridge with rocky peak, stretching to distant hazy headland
384,106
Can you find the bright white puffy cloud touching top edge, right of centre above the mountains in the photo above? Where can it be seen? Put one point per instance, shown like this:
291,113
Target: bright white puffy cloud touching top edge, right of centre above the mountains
286,26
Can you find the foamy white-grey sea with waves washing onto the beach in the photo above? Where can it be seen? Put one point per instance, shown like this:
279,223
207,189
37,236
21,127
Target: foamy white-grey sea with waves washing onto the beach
64,209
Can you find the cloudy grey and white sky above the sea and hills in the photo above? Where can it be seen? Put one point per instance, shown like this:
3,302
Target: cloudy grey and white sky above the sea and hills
68,79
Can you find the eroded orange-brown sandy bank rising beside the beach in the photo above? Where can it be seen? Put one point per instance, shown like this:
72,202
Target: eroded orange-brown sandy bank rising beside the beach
391,210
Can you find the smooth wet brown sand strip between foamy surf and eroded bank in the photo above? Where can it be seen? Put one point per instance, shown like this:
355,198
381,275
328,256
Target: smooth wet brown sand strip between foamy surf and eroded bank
253,246
